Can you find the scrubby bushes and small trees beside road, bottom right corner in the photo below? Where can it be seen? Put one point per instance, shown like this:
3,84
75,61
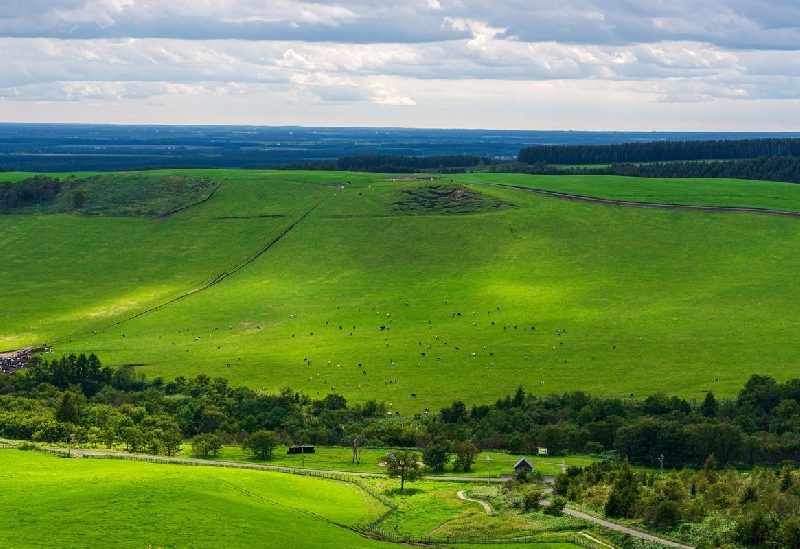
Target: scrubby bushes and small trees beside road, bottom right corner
707,507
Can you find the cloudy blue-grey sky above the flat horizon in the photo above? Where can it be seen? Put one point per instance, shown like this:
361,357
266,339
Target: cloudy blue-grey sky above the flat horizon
690,65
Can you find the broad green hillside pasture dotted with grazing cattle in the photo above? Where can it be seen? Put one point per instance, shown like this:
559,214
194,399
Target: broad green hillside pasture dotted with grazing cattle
381,289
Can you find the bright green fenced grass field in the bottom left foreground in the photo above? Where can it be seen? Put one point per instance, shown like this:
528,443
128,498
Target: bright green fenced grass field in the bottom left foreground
51,502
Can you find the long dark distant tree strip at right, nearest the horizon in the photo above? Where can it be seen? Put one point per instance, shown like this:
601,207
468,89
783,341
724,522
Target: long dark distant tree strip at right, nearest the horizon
660,151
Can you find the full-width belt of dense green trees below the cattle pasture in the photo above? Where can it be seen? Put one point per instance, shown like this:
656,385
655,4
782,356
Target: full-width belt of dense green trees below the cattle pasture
78,397
